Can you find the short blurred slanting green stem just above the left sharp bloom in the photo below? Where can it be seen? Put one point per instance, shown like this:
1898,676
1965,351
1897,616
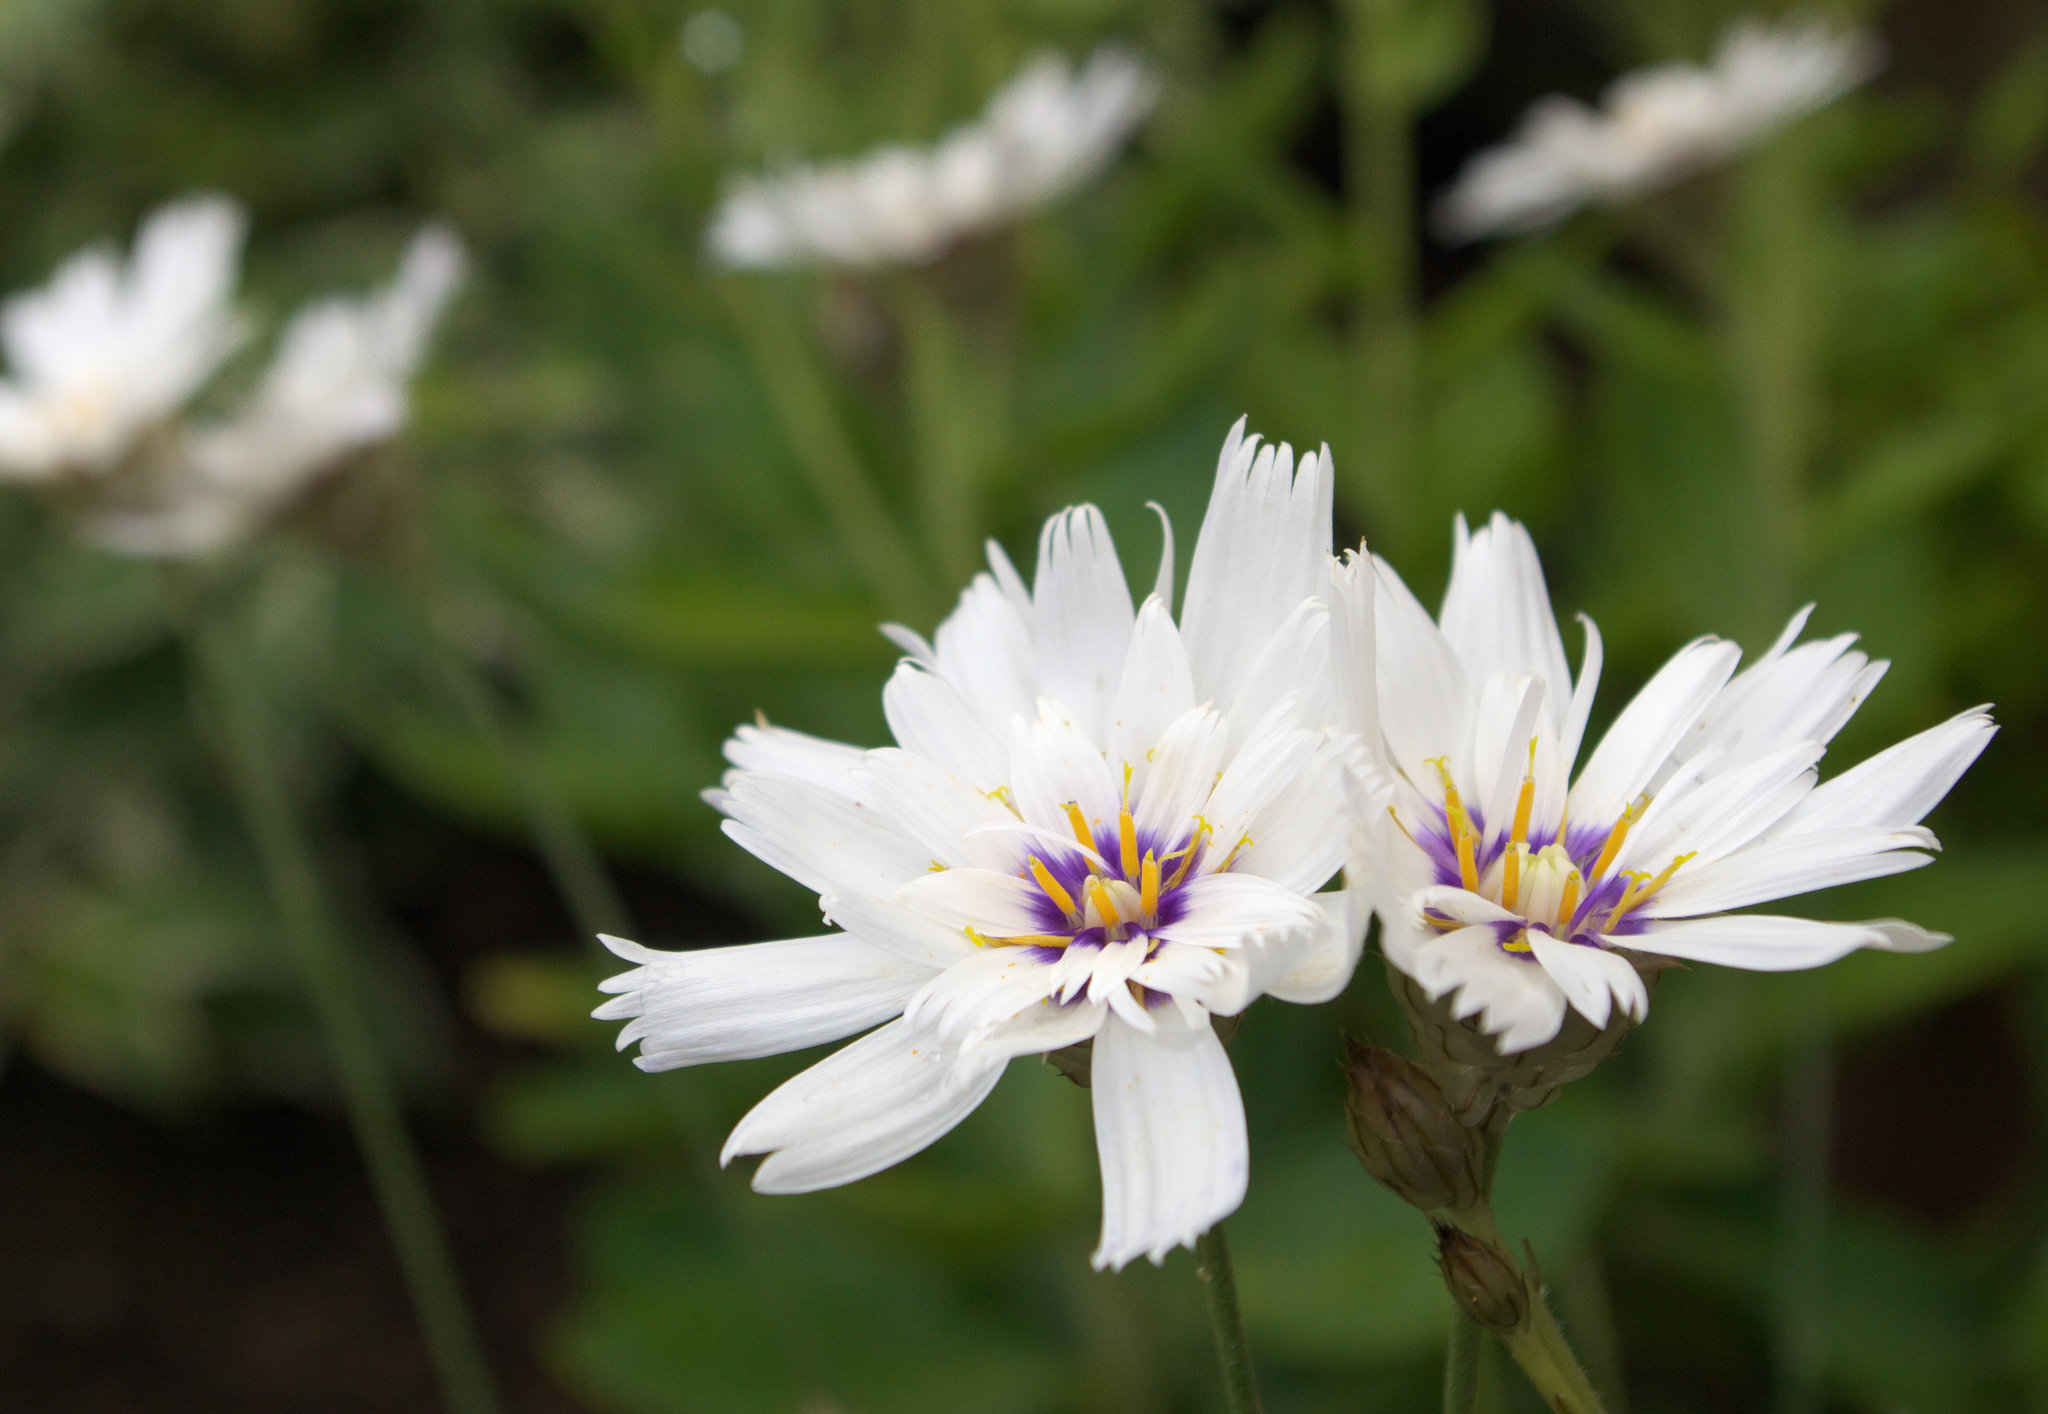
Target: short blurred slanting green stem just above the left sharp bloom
826,454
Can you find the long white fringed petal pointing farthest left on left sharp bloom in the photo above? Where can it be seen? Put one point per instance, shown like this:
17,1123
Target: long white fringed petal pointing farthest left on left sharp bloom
759,999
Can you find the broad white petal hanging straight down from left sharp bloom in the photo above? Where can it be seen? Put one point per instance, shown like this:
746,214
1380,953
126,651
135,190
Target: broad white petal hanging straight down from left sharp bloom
1170,1130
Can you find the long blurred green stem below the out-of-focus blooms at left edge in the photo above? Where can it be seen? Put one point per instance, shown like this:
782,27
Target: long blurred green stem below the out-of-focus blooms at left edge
409,1210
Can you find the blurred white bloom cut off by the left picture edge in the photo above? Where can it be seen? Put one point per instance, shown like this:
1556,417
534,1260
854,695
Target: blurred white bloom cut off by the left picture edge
108,351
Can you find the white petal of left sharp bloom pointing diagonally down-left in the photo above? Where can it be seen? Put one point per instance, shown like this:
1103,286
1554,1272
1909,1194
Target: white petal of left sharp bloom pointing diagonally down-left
859,1112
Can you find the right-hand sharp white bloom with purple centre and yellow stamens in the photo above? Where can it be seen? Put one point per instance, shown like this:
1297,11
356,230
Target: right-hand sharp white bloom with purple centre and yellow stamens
1512,888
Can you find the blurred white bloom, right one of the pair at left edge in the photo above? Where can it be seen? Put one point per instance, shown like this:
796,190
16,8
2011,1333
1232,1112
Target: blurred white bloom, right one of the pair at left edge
335,386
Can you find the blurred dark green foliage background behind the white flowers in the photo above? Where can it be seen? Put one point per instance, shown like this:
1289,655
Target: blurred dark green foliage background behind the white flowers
1816,374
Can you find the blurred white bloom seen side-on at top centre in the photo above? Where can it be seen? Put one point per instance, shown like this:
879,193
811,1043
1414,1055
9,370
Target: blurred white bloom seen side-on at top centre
1046,134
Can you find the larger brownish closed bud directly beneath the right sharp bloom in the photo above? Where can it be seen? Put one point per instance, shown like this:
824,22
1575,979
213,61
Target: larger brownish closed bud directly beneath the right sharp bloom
1406,1132
